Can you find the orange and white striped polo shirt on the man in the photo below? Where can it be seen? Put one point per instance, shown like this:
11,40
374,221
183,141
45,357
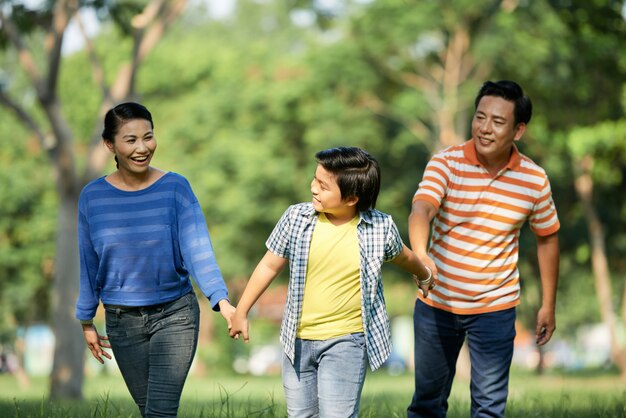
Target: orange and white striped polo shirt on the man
475,234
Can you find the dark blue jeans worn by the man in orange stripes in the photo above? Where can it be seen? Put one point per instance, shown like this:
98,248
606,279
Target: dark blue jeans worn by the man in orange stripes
439,336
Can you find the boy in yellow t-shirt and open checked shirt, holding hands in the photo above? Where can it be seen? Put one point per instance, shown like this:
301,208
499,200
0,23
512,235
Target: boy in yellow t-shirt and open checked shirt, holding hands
335,319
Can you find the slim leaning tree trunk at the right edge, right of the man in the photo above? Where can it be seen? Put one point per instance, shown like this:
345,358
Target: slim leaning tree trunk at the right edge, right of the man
599,263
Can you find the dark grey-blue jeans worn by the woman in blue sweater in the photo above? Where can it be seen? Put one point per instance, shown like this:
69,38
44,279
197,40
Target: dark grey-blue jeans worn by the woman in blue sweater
154,347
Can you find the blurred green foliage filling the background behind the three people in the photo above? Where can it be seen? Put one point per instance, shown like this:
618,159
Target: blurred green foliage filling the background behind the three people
242,104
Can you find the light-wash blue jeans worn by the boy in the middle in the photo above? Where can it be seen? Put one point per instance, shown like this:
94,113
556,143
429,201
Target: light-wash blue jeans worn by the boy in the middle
326,378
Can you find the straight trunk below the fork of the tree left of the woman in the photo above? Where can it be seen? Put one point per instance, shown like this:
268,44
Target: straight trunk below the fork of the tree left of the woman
67,372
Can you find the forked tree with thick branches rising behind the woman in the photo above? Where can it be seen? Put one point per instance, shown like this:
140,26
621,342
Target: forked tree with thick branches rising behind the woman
145,25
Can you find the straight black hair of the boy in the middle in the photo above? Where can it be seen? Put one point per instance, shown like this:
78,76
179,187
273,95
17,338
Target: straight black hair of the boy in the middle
358,173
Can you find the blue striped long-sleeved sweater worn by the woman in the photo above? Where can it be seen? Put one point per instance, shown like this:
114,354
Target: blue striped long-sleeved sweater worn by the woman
139,248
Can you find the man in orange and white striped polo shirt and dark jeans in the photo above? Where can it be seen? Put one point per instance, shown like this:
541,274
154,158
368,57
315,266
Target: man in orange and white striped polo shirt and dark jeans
477,196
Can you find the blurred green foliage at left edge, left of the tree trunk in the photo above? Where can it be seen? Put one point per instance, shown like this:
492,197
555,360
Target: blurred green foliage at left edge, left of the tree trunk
27,228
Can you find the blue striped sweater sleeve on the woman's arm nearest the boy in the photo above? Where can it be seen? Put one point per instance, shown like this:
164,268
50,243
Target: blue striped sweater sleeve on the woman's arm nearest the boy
197,250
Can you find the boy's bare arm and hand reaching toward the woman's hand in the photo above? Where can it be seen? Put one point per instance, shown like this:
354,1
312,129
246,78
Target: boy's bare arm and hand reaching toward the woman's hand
265,272
